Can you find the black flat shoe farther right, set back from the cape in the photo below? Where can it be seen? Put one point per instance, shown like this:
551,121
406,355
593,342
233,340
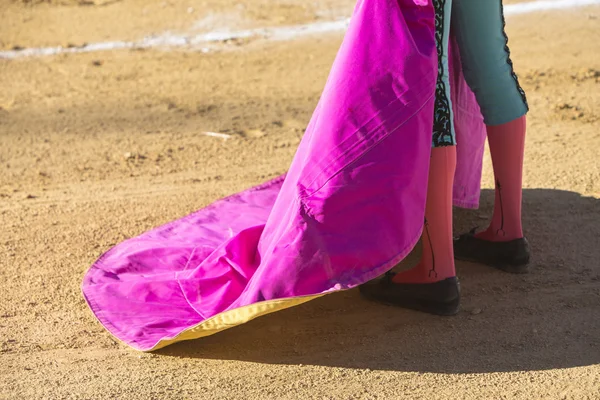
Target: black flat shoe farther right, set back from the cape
512,256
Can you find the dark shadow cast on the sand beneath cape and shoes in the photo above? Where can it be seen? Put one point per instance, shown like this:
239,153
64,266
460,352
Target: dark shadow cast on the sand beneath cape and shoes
543,320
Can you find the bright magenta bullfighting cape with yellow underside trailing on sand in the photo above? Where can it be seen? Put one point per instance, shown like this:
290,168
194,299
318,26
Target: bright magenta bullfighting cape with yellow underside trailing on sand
350,208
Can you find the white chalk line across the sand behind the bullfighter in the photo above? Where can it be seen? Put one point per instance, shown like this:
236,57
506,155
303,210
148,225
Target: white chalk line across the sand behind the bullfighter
170,40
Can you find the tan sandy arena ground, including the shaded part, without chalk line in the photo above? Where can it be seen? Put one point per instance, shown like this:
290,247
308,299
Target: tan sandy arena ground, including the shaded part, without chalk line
99,147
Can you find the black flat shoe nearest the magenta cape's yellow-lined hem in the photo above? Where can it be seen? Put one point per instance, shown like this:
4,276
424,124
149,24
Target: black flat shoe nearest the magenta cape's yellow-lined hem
439,298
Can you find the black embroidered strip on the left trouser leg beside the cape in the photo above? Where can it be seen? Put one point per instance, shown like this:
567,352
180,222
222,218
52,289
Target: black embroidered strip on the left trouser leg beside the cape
442,121
